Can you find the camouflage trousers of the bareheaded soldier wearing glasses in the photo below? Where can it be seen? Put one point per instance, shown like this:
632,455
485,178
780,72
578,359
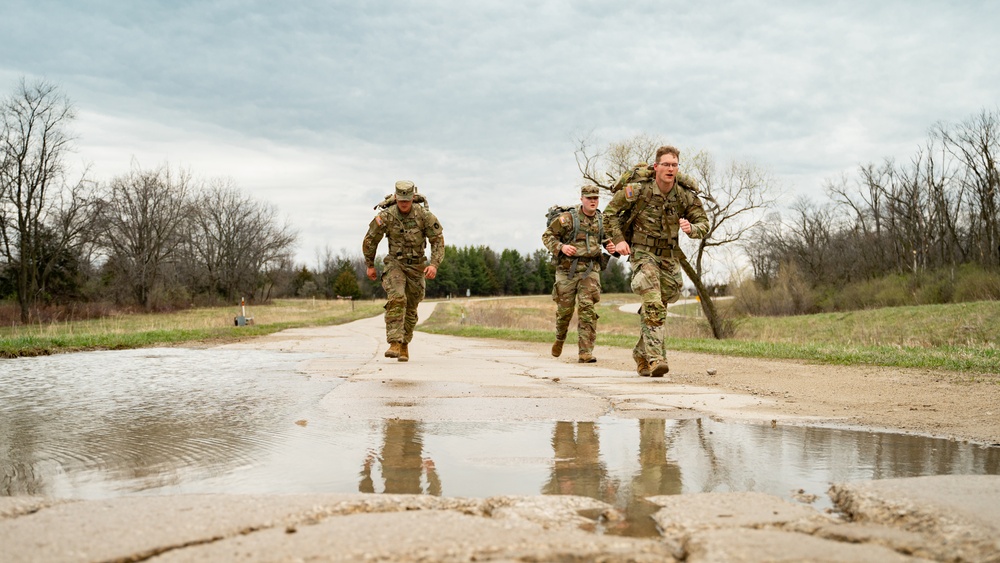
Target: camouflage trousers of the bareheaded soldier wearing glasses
657,282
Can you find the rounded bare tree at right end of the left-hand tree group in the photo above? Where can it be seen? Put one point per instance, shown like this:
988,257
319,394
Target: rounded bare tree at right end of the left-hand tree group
236,241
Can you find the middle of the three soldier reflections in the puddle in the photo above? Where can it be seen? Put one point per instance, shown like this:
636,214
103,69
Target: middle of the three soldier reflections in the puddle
577,469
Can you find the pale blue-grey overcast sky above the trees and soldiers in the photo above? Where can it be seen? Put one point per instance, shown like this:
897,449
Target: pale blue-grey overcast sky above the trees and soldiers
319,107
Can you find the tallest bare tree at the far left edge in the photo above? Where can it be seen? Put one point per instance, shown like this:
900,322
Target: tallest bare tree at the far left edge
41,215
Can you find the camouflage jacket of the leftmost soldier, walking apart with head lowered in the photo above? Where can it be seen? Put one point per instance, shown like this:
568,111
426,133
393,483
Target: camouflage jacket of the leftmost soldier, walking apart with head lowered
408,234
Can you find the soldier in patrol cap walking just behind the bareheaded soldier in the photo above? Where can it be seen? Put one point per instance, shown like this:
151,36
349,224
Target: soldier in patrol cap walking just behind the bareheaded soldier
575,239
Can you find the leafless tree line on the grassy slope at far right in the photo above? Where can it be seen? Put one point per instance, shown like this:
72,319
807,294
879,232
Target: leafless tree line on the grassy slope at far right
938,210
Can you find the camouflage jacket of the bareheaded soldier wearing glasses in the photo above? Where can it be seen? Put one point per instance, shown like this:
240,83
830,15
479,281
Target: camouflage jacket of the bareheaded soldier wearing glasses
657,224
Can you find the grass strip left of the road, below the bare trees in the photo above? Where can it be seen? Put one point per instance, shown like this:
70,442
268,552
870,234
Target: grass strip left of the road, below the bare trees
193,325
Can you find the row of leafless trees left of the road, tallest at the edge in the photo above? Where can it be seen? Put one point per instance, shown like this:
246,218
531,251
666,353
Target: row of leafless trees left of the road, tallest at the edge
149,237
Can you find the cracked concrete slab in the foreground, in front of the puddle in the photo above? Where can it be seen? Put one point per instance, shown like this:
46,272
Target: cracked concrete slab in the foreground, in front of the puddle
925,518
